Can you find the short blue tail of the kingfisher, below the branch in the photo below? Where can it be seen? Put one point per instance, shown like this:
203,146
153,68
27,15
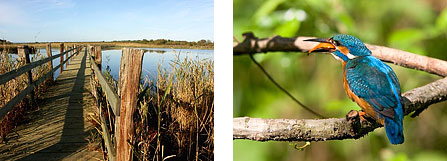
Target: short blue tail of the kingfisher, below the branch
394,130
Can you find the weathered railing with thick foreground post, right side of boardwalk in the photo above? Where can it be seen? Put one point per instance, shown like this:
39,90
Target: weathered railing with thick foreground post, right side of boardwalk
129,78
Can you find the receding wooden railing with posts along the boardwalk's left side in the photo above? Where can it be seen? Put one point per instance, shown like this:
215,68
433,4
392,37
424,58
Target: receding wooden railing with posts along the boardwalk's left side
31,84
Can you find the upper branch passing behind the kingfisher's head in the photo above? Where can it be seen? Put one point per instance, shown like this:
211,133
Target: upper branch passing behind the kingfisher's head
252,44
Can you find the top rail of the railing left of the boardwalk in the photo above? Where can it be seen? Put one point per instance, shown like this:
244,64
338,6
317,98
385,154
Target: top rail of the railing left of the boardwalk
17,72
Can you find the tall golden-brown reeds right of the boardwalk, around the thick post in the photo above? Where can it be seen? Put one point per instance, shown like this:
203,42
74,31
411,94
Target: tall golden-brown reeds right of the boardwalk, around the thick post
174,119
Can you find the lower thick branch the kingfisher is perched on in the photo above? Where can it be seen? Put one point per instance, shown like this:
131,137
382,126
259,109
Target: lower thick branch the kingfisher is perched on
351,127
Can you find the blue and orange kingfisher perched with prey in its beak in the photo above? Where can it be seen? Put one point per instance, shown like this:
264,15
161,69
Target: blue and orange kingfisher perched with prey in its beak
369,82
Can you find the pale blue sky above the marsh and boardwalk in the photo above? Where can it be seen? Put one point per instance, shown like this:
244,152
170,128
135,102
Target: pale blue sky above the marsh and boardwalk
97,20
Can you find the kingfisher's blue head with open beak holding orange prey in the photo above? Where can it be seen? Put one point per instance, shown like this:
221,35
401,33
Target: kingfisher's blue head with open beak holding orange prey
342,47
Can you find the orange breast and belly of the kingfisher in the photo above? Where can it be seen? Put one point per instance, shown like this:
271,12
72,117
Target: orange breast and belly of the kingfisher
367,108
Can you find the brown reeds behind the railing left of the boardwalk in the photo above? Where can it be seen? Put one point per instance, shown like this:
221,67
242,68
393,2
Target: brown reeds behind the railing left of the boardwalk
13,87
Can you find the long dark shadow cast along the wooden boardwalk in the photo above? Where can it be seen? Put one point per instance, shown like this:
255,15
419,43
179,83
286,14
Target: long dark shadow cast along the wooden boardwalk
72,138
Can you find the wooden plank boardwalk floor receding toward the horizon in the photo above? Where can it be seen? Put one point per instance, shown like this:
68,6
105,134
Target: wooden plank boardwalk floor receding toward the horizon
58,130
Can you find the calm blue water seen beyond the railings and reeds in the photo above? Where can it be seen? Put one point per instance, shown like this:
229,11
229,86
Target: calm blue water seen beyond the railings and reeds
153,58
